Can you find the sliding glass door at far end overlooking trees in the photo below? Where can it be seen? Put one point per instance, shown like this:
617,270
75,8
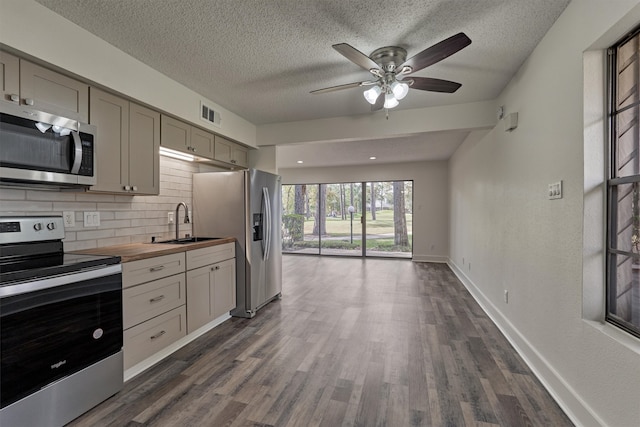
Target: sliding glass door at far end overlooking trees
348,219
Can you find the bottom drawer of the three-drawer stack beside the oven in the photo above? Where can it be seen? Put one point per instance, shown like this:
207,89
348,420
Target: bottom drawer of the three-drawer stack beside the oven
149,337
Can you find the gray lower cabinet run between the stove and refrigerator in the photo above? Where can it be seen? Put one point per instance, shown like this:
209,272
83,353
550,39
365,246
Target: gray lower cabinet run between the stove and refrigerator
169,296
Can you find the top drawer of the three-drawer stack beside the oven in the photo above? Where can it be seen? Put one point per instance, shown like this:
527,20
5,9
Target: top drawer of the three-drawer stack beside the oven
146,270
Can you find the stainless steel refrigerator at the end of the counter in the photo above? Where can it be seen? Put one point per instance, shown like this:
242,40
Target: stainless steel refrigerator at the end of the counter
245,205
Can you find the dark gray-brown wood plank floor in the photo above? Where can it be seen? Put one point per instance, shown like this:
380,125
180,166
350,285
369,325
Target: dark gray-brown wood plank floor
352,343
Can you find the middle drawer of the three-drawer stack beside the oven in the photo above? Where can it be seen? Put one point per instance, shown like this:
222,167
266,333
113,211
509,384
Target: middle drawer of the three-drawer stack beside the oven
143,302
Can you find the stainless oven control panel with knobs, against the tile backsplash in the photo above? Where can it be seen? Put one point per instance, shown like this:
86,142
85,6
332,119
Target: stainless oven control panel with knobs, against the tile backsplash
30,229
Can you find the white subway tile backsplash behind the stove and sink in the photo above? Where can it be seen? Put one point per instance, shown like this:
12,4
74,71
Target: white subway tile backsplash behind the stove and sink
123,219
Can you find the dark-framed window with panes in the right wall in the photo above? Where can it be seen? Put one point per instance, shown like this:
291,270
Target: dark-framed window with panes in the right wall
623,233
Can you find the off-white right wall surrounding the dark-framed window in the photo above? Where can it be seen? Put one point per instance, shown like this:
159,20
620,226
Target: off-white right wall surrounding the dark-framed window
506,234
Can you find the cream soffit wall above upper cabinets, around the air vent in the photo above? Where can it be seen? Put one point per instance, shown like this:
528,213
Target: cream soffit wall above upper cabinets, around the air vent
37,31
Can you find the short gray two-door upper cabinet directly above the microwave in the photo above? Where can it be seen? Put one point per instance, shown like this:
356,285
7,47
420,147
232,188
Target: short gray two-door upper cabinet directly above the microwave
26,83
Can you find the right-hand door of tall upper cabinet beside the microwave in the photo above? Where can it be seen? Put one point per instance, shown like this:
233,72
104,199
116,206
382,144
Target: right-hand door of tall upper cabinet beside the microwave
144,143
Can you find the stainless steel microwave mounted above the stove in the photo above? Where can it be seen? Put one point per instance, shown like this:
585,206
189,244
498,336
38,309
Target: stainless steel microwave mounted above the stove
38,148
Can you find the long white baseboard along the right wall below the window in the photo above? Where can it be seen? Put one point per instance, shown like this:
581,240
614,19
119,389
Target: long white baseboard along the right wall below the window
576,409
